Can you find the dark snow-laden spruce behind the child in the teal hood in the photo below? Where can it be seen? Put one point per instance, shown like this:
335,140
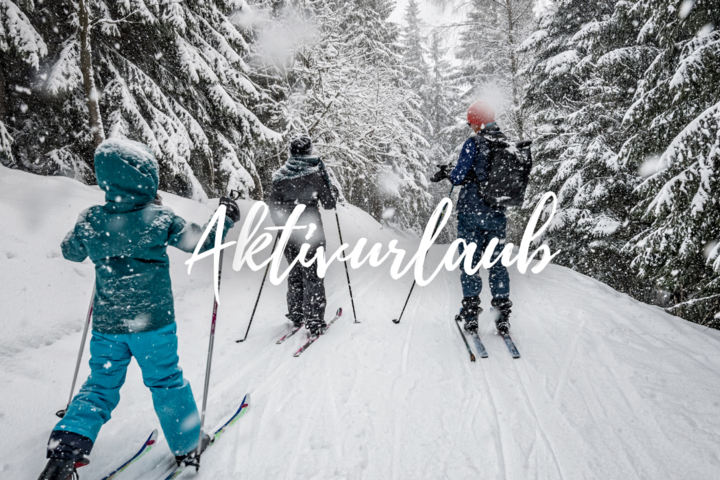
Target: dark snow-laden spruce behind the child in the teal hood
169,74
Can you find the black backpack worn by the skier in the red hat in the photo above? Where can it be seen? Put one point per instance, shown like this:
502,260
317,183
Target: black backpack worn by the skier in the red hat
508,172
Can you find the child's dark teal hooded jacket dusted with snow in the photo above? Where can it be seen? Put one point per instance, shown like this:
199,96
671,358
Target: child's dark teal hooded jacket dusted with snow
127,239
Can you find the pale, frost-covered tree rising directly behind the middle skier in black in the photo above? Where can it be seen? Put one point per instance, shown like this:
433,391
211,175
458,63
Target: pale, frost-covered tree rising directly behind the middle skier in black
344,86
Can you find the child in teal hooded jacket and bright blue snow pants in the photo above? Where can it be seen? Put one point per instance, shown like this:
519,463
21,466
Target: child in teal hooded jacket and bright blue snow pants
126,239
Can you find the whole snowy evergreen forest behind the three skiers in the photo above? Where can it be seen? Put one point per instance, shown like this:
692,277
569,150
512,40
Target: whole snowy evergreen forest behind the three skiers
620,99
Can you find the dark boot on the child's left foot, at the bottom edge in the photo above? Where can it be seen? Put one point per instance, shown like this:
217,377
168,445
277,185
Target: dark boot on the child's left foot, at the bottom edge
66,453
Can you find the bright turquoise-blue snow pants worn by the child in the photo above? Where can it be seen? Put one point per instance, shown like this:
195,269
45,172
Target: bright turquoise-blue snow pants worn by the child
156,354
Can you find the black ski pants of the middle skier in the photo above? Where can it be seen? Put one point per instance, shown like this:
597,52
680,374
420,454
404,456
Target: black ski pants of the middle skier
306,291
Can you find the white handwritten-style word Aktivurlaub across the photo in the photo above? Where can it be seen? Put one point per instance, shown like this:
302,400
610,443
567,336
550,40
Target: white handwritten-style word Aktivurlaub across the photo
248,245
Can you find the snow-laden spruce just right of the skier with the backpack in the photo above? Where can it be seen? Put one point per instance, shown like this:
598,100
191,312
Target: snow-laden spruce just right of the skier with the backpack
583,80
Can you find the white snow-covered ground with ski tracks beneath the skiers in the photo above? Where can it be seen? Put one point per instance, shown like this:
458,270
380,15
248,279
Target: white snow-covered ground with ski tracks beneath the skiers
607,387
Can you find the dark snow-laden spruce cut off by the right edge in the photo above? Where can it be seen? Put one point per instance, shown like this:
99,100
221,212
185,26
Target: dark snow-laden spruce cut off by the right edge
675,119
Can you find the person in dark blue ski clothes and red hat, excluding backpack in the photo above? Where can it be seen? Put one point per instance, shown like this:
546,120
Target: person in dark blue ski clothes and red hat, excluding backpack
479,222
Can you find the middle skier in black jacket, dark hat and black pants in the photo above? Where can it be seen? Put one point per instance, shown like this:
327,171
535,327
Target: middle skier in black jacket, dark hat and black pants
303,180
